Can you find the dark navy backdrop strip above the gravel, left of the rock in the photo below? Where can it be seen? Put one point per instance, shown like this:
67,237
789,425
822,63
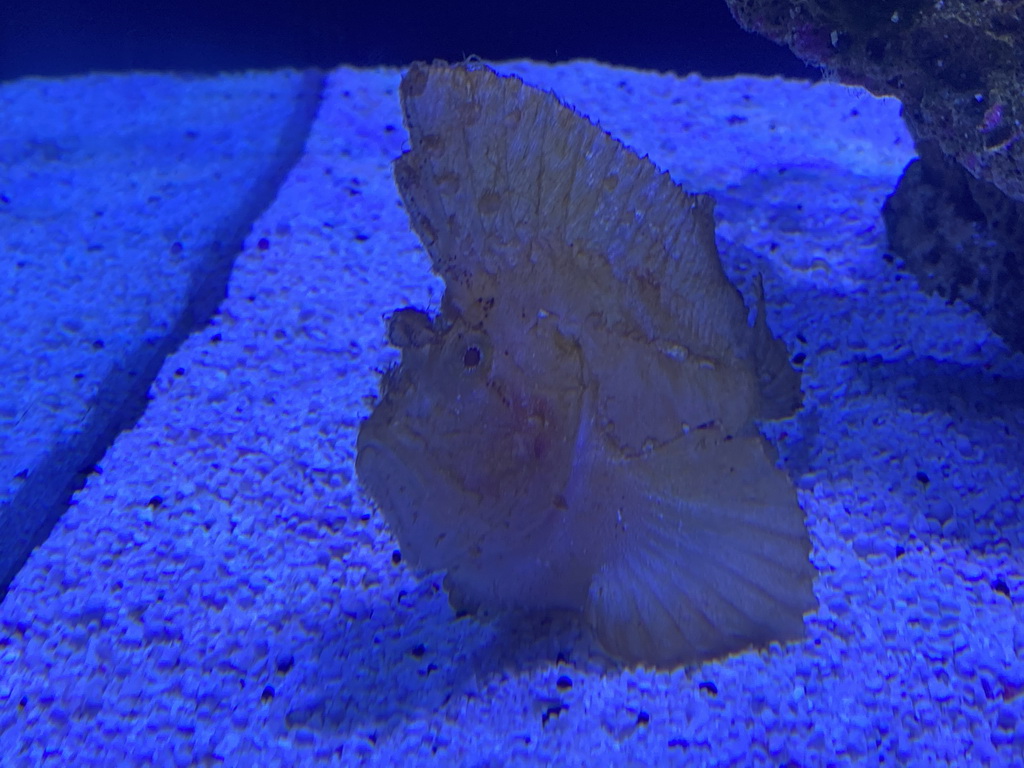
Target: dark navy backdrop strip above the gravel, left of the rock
63,37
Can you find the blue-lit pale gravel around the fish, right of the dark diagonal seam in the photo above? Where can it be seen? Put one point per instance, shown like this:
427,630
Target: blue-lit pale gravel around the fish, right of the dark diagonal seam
222,592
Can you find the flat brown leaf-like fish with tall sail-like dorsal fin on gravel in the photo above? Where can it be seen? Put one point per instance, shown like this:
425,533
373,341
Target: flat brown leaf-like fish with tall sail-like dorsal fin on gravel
575,430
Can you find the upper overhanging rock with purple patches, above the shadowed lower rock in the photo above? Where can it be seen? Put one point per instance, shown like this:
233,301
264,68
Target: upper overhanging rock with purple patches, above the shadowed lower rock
958,66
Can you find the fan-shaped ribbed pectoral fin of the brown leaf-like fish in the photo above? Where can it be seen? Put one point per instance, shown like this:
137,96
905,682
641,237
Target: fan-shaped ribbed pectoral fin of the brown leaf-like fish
695,579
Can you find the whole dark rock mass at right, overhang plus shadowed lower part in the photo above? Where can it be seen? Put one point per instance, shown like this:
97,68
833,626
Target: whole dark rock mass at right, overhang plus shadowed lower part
958,67
